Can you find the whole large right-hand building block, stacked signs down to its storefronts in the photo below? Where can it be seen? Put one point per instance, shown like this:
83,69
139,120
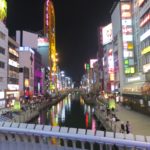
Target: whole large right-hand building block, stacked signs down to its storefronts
131,41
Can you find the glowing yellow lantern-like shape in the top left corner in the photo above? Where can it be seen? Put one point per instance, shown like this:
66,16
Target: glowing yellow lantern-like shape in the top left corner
3,9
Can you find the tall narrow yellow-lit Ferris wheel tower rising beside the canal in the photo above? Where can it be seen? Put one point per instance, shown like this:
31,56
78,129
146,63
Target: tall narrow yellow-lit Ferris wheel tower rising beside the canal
49,31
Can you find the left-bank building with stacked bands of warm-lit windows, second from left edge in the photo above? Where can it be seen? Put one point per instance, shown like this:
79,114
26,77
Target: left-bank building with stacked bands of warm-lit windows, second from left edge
12,91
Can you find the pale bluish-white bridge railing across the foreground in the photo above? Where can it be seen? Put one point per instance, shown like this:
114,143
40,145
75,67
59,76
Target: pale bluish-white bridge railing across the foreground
22,136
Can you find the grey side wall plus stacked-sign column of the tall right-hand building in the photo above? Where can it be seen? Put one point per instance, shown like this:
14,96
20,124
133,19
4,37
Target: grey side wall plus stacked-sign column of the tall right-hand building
123,47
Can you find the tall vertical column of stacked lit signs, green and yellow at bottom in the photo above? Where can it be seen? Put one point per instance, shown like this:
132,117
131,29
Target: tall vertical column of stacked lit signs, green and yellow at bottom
127,37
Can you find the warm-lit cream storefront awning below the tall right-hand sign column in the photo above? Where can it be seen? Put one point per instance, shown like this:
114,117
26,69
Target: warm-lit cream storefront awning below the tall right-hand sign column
133,88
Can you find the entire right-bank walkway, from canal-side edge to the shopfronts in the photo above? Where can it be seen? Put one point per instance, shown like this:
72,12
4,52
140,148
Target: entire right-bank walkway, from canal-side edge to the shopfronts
140,123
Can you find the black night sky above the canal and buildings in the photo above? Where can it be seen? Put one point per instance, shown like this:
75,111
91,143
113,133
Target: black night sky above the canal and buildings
76,28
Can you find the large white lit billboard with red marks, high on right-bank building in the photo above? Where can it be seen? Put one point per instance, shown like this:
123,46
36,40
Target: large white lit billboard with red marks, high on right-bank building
107,34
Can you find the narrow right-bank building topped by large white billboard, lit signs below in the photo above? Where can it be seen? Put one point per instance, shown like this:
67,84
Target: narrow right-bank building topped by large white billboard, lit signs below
108,59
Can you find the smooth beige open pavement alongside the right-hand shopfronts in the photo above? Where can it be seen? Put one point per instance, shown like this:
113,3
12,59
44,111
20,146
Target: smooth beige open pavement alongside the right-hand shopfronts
140,123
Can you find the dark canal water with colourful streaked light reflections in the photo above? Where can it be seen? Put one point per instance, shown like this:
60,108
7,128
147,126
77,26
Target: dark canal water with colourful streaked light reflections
71,112
